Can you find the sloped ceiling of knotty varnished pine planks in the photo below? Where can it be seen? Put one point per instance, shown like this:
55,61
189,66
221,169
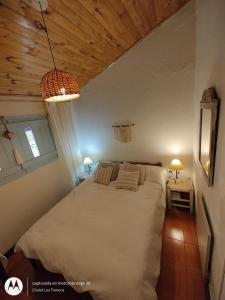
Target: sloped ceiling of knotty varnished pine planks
86,36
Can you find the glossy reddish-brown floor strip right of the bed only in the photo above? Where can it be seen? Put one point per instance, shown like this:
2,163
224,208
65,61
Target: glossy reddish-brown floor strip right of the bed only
181,275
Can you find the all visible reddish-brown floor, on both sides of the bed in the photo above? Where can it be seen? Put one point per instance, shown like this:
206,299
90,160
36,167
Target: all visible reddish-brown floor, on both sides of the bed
180,278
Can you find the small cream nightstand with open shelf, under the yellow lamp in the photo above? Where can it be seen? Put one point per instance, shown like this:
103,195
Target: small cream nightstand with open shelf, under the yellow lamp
180,194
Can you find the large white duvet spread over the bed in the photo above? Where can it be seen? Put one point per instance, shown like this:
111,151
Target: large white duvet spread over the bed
108,236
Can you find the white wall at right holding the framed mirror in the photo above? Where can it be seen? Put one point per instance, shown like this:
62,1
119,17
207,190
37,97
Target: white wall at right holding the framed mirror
210,71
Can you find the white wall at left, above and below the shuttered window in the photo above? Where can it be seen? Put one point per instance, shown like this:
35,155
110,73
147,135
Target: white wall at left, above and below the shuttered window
26,199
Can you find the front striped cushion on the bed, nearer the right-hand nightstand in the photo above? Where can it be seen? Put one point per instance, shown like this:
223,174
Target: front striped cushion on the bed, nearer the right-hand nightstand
128,180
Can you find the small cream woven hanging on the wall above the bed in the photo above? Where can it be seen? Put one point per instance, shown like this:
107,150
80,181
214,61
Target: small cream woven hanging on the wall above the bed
123,132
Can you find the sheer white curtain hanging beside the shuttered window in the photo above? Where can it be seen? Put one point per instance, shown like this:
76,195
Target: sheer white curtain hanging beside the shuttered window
63,122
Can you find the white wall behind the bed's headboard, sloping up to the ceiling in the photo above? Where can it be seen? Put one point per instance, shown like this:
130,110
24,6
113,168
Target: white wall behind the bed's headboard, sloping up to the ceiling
151,85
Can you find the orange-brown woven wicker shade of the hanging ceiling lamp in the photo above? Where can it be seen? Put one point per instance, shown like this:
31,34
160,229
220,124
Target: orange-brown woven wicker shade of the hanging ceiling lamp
58,86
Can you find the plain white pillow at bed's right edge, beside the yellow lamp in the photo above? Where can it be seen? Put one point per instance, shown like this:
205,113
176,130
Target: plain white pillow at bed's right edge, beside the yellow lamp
156,174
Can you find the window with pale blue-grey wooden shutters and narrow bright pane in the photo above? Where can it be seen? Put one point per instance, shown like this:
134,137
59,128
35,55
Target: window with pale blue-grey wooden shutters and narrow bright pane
32,138
